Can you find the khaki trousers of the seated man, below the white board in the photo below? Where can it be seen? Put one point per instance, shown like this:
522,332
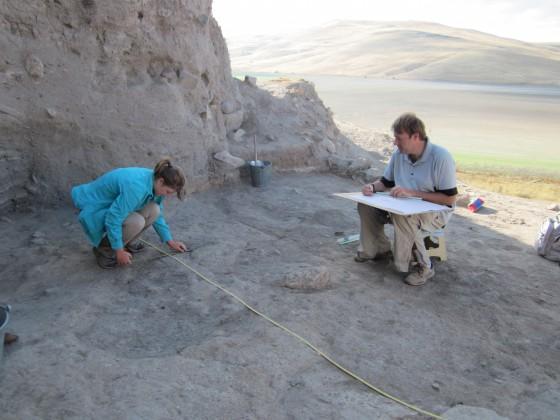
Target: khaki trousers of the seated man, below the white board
409,234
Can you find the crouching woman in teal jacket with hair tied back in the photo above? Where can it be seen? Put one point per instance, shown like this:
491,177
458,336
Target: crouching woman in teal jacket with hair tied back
118,206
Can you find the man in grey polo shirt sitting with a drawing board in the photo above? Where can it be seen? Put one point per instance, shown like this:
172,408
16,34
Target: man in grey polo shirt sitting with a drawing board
418,168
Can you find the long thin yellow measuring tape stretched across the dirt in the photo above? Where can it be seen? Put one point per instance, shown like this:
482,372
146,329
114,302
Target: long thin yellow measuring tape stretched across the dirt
299,337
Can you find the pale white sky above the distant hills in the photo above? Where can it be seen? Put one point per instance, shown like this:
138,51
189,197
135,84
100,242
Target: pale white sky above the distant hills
525,20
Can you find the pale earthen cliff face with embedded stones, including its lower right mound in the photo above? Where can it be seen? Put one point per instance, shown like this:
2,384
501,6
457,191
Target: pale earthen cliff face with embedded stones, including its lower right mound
90,85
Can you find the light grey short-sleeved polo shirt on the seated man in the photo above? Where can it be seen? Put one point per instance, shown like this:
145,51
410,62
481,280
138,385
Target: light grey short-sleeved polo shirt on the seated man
434,171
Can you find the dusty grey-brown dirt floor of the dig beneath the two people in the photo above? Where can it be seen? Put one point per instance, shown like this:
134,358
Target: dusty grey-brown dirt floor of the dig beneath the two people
153,341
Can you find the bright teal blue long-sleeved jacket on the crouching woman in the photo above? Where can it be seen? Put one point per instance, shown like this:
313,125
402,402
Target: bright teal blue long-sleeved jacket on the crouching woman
105,203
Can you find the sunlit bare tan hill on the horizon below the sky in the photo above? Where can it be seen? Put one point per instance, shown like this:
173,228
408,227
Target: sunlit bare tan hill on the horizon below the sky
401,50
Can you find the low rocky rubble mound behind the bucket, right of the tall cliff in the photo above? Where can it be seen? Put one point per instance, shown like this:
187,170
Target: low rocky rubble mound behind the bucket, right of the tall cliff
291,125
